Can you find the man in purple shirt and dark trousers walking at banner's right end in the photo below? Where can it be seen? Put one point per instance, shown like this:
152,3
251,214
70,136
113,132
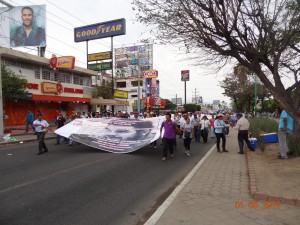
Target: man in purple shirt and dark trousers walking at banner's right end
169,136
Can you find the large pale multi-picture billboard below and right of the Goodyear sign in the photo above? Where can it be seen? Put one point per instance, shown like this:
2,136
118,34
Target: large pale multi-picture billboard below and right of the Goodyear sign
129,61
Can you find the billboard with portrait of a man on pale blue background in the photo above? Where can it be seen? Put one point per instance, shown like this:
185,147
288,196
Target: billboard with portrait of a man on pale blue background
14,21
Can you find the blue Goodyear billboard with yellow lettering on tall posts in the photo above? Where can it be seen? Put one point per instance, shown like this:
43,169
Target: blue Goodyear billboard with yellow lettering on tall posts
100,30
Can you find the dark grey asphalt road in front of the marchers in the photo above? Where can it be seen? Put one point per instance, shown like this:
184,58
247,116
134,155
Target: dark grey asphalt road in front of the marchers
80,185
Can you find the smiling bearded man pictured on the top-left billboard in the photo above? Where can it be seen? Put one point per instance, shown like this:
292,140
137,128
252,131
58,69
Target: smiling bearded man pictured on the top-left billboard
28,34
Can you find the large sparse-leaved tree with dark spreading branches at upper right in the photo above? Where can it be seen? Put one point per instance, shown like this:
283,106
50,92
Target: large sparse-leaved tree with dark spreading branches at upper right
262,35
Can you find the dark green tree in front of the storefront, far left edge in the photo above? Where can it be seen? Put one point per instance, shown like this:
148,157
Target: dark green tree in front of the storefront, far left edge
13,86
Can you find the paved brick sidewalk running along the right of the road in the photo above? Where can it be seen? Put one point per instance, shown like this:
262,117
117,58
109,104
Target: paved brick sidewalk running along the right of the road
218,193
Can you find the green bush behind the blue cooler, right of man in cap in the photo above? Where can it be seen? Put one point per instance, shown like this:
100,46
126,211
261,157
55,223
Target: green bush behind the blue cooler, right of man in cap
260,126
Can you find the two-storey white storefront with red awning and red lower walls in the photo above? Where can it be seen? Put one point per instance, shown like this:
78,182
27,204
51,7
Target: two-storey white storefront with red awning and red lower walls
66,91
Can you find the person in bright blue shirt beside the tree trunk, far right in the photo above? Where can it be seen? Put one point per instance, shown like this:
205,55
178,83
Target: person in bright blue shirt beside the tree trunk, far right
285,127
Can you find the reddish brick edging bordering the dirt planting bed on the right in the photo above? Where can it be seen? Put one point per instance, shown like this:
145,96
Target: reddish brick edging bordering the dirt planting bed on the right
260,196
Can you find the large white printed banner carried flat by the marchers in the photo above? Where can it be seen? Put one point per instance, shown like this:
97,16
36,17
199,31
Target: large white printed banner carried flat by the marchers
115,135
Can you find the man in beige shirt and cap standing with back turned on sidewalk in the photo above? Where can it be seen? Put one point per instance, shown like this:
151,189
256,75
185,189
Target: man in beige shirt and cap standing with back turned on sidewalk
242,125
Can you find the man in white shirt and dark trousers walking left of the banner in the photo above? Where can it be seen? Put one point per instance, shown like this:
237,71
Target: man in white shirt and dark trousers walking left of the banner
41,126
